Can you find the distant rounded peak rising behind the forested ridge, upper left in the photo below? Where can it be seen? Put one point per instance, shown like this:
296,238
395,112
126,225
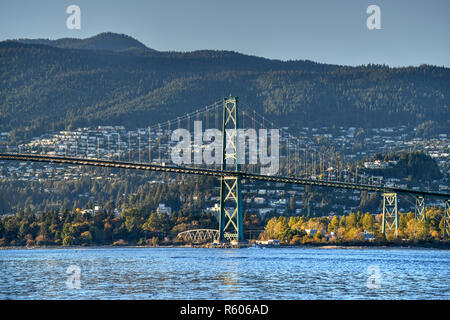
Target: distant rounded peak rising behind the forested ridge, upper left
103,41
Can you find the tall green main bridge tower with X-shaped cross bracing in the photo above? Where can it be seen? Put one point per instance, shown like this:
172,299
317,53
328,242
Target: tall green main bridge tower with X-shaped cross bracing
230,222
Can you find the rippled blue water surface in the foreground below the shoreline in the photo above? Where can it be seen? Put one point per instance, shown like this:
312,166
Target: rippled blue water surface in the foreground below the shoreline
191,273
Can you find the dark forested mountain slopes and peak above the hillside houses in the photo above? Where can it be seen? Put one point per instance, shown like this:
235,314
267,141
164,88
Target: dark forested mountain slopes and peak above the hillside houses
110,79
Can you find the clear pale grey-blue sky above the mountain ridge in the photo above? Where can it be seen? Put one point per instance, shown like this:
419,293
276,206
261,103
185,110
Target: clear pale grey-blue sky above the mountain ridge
413,32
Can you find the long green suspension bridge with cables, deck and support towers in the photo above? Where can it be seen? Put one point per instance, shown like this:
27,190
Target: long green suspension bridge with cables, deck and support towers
299,163
